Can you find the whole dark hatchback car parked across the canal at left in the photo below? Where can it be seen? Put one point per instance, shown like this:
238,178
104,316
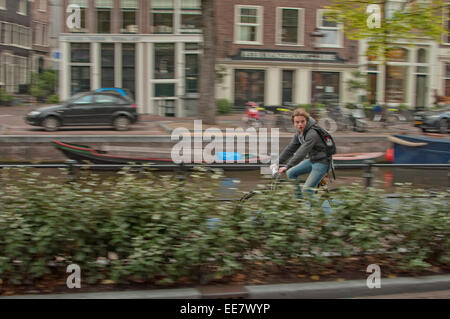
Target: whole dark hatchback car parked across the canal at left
89,108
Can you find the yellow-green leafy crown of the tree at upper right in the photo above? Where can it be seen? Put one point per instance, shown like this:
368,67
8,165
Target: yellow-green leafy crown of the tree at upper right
405,20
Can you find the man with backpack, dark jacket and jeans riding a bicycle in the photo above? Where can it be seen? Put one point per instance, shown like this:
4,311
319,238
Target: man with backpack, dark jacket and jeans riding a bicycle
308,152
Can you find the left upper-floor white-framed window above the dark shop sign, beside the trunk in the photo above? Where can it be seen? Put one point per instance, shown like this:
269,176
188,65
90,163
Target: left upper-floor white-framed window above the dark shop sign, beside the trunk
248,28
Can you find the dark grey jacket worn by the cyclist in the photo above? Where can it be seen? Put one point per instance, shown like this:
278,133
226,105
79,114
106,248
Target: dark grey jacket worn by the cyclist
312,146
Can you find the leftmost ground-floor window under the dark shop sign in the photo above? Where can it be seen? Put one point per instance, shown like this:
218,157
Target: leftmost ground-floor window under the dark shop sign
249,86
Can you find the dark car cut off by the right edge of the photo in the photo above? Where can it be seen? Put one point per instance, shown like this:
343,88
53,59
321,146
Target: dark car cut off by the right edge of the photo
433,120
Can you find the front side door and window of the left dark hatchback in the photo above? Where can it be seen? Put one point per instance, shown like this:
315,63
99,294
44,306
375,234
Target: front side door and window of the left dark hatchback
79,111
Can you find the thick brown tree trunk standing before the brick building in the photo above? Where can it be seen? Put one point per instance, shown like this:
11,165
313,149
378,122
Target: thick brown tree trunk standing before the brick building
207,84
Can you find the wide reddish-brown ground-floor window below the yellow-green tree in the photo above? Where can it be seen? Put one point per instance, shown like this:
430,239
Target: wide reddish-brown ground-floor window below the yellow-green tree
395,84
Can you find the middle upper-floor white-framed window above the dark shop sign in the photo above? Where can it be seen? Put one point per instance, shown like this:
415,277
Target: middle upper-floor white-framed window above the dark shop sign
290,25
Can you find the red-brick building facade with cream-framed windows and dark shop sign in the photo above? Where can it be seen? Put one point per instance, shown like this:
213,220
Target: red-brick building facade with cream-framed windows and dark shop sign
268,54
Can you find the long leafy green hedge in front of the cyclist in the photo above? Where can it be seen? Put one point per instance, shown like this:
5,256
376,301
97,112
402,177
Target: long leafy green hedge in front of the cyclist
160,228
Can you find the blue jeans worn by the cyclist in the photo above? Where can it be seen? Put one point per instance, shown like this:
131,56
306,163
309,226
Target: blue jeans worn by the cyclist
317,173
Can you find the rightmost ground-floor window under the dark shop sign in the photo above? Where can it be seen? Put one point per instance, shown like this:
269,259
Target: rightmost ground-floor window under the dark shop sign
325,87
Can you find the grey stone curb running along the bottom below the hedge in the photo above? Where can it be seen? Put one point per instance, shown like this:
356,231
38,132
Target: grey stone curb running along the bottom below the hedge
317,290
